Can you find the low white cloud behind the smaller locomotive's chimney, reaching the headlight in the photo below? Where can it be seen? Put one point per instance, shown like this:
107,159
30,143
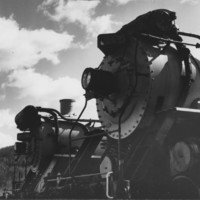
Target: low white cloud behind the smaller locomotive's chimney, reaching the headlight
48,91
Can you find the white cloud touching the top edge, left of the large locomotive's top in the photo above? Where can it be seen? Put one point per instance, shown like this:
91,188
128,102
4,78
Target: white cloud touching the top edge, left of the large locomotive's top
81,13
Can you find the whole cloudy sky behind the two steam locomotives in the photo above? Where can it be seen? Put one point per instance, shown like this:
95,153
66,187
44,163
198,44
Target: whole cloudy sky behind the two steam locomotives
46,44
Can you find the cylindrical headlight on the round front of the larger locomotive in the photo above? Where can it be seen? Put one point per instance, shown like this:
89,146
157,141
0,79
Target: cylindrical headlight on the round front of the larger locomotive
99,82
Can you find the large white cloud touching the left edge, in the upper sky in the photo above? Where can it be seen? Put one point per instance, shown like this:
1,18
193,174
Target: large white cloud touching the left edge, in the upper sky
20,47
